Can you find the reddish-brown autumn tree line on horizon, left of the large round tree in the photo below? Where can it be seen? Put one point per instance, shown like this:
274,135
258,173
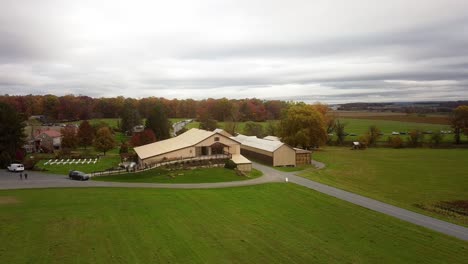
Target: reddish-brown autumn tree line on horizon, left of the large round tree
71,107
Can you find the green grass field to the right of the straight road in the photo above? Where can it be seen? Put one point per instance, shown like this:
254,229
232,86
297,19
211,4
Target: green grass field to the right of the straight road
415,179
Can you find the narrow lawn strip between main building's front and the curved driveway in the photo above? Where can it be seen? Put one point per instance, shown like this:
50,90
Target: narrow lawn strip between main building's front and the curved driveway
181,176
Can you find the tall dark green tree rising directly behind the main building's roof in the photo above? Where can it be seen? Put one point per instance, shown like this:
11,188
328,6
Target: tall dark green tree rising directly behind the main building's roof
159,123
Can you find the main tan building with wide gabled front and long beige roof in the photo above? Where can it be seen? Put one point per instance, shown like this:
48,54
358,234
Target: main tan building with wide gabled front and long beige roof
192,144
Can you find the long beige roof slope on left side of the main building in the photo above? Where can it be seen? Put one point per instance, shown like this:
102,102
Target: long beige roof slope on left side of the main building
187,139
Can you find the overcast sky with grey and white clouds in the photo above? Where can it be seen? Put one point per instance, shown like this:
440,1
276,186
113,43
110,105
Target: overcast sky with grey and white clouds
329,51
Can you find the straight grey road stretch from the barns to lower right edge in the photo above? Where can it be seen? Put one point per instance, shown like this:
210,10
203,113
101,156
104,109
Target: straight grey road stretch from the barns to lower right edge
403,214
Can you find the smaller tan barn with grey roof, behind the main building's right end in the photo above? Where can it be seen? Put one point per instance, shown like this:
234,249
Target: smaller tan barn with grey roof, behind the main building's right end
272,152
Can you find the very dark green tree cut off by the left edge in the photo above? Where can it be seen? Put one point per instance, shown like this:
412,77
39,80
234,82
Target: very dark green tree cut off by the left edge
11,133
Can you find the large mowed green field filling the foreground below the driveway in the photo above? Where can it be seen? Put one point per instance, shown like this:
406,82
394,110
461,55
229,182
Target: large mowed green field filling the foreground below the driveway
271,223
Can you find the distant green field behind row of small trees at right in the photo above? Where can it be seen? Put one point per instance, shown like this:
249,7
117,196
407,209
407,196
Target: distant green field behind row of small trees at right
361,126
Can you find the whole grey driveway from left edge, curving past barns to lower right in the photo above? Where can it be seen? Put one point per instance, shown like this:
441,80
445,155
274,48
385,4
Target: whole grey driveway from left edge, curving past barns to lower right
40,180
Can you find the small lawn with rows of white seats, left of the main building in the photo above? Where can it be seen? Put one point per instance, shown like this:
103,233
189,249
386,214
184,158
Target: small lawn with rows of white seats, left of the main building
104,163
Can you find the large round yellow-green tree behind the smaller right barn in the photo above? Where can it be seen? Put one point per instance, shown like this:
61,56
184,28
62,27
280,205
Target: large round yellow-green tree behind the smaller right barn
303,125
